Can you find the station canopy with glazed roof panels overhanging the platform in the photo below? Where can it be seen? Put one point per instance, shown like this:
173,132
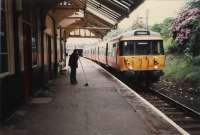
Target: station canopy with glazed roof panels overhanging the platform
88,18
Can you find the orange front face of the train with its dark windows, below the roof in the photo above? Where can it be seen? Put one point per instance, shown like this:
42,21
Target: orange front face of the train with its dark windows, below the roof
142,57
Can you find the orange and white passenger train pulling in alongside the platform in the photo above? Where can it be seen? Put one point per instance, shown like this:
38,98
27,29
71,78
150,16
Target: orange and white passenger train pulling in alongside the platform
138,54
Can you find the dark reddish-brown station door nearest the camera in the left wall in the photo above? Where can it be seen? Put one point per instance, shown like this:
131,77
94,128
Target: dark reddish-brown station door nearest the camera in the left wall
27,62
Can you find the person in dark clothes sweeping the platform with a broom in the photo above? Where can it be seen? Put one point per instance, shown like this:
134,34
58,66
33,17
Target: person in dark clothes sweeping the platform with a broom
73,63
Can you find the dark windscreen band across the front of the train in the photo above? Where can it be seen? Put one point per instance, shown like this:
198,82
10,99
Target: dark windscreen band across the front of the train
141,47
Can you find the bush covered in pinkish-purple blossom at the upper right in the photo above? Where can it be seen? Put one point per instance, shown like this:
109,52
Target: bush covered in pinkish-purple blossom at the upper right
186,29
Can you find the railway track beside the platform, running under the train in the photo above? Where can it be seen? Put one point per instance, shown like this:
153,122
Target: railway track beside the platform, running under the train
182,115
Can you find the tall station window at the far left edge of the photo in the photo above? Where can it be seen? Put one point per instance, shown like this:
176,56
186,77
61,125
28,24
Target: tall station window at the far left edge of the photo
3,45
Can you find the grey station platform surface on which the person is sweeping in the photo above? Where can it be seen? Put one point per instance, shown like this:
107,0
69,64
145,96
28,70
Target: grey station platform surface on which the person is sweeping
104,107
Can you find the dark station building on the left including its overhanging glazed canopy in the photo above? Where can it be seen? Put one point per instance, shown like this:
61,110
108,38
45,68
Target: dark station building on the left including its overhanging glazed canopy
33,37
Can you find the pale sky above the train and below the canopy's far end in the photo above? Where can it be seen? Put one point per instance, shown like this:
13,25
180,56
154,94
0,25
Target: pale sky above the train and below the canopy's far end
158,11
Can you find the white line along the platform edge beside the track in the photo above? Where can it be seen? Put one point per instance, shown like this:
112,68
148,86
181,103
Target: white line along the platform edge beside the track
181,130
